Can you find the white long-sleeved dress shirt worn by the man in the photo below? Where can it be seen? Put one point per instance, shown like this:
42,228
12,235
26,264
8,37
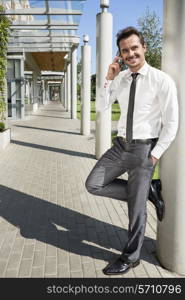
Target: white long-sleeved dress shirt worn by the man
155,108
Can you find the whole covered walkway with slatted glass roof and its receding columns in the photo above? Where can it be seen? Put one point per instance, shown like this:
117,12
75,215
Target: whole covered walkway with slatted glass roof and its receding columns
43,37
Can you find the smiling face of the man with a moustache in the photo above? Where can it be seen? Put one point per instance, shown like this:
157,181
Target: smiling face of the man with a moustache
133,52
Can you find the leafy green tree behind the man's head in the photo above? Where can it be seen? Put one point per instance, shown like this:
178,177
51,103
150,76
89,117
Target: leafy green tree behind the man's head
151,28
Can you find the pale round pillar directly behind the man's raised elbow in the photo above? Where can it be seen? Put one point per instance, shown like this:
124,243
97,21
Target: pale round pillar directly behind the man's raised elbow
103,59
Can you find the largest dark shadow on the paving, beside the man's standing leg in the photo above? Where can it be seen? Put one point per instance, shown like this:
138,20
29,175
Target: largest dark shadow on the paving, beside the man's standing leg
62,227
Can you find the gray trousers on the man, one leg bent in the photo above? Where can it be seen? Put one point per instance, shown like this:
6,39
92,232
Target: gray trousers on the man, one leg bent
133,158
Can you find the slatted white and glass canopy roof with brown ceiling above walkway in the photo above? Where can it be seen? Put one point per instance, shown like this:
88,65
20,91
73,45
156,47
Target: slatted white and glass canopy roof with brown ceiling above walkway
45,28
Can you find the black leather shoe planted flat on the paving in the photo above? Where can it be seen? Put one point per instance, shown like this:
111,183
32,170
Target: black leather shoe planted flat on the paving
119,267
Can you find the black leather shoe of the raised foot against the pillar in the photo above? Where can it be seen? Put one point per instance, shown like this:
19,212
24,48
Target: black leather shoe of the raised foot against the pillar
156,198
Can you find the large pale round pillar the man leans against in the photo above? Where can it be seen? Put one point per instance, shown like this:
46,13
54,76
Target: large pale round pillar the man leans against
171,231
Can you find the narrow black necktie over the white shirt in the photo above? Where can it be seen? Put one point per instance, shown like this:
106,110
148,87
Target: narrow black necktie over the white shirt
131,108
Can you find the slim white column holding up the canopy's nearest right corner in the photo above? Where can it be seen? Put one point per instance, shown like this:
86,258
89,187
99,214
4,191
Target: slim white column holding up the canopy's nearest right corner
74,83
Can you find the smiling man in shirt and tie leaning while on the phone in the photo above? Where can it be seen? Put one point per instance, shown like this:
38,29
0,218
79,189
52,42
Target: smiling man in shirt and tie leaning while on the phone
147,126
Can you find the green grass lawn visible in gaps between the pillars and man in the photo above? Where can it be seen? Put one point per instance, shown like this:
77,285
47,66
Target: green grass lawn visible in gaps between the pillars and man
115,117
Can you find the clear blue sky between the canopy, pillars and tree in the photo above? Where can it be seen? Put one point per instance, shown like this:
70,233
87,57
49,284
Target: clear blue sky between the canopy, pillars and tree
125,13
